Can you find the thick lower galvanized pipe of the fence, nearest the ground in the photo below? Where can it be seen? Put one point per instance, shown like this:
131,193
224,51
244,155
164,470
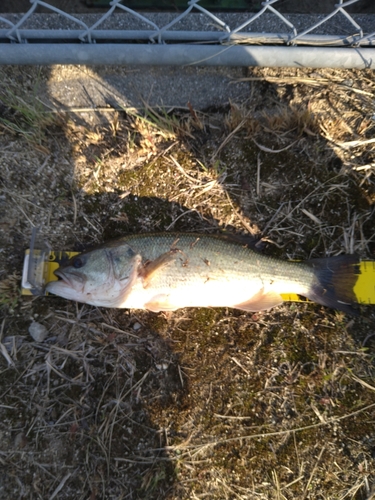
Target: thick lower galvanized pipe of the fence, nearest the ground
187,55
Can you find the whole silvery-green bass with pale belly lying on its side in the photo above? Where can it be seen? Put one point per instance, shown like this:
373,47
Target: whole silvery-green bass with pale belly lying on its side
168,271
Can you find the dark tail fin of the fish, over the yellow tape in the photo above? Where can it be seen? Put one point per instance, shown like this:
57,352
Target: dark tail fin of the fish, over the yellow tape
335,278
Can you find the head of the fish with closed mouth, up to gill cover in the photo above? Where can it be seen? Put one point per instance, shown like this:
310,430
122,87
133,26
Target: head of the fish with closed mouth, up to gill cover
101,277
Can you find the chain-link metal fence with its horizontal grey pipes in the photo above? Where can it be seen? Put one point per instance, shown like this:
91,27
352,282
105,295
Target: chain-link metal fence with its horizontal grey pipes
194,37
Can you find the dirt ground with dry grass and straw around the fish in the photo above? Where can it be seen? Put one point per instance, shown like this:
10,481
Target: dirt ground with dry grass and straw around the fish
199,403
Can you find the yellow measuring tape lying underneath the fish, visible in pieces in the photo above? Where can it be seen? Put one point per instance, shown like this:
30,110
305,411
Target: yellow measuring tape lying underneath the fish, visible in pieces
364,289
